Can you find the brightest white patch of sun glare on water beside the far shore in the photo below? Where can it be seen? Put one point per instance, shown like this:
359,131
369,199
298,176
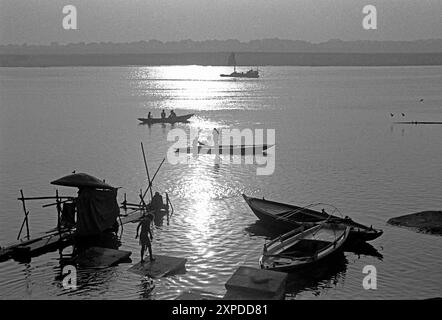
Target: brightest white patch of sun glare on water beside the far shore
185,88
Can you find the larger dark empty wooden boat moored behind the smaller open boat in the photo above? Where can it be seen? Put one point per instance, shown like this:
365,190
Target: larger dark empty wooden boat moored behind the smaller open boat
287,217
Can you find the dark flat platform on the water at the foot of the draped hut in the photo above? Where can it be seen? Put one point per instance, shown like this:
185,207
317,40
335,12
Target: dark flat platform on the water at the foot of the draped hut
96,257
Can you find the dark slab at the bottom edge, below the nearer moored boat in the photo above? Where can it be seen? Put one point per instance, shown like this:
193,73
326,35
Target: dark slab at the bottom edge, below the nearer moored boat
256,282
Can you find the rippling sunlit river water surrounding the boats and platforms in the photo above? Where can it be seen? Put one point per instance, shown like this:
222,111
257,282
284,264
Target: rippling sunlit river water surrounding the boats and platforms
335,144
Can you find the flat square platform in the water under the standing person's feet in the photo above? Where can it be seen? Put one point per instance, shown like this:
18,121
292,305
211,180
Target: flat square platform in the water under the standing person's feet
161,267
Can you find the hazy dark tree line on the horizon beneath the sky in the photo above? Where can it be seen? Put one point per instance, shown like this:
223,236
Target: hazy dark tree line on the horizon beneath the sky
231,45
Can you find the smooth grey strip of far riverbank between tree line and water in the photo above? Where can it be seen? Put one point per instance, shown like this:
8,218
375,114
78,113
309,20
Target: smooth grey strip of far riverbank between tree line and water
219,59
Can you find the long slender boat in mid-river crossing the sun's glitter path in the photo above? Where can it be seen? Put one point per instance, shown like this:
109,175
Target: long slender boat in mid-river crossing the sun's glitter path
226,149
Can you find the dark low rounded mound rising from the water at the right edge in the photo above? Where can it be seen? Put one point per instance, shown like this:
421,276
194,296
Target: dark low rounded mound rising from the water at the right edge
426,221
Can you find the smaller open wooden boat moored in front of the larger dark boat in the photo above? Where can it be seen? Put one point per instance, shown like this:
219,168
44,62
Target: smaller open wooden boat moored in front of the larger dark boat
297,249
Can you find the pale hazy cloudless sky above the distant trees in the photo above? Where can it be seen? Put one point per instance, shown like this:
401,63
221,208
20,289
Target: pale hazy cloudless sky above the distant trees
40,21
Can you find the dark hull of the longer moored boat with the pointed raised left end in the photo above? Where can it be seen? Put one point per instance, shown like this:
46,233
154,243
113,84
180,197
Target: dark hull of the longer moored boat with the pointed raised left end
358,232
